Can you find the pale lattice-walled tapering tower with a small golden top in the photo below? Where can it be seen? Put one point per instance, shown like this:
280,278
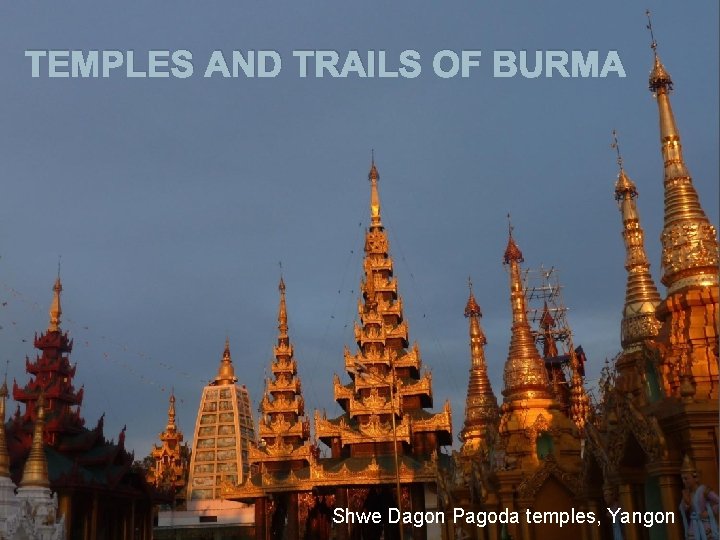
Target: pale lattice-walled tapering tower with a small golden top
223,435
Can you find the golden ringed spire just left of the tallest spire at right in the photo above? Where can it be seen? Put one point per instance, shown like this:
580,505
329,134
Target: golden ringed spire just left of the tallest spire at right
641,296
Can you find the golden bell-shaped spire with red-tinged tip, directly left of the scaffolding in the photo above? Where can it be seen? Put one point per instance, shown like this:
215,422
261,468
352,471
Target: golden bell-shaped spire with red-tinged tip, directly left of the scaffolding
525,375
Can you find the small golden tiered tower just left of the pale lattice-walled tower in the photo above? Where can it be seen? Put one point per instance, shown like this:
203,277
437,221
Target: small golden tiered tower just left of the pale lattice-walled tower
170,469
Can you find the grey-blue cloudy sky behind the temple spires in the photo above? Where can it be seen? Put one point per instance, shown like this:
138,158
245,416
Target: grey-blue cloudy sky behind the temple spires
172,200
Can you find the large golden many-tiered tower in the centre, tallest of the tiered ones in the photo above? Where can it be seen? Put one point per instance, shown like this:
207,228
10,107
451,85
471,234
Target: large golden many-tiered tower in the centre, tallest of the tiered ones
386,438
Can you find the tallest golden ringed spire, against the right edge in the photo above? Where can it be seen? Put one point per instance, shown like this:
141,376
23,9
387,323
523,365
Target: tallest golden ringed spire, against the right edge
689,241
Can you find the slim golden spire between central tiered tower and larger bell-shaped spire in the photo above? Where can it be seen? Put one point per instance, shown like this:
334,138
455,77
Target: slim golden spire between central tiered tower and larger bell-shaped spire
481,409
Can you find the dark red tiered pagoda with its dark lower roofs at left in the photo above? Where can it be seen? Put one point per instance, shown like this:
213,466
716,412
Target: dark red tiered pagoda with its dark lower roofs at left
98,492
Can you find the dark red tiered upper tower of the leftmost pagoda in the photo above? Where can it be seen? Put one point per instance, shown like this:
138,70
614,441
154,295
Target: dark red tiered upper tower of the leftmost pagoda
52,375
